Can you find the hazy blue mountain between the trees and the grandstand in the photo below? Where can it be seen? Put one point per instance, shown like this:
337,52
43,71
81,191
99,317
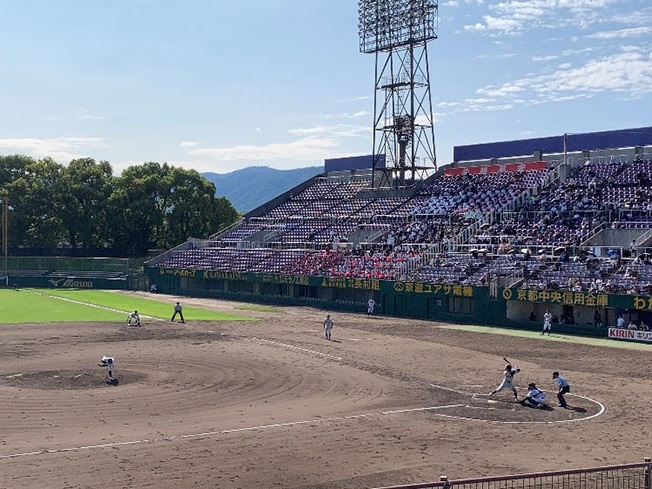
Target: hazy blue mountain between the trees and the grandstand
253,186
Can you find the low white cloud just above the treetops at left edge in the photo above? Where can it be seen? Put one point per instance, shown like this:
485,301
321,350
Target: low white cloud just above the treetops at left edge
61,149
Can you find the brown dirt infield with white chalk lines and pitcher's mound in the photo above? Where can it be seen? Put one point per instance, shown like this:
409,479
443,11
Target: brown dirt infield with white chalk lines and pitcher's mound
273,404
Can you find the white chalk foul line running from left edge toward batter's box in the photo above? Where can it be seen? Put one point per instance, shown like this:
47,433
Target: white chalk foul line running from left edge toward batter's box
45,451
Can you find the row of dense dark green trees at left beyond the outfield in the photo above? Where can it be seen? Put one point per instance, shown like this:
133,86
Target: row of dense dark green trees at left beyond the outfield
83,205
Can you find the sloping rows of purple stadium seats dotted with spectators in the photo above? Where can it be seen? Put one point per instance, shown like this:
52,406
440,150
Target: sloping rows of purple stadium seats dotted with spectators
338,227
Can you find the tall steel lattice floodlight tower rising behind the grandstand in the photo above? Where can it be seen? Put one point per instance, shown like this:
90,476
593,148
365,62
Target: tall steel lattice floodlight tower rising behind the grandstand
397,32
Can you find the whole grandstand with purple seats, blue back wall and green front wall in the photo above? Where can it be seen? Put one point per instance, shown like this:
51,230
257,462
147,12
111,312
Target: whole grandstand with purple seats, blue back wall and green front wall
536,218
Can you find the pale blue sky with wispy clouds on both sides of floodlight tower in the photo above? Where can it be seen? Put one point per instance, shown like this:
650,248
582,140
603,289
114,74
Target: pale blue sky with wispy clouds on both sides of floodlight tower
220,85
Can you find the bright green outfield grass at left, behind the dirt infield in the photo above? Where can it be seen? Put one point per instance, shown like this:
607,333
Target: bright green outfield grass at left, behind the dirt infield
60,305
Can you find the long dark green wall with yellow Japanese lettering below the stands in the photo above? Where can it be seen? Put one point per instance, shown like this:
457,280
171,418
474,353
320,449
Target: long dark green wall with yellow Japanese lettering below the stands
504,307
